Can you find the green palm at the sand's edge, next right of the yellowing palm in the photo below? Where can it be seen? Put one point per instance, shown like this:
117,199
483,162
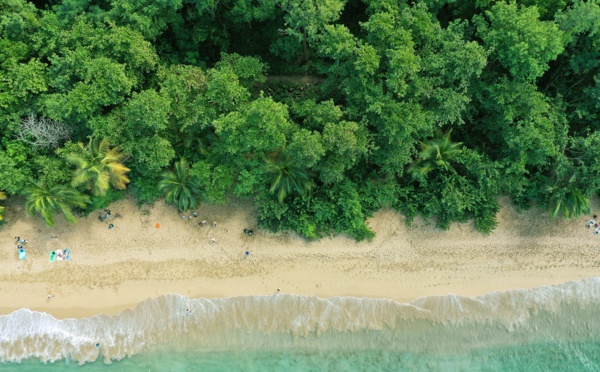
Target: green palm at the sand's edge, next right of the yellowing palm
180,187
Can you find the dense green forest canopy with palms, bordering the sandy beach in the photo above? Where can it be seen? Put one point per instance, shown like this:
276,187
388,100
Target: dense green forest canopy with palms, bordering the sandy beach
320,111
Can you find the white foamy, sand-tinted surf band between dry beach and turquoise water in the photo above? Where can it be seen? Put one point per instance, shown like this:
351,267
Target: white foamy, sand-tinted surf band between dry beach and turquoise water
433,325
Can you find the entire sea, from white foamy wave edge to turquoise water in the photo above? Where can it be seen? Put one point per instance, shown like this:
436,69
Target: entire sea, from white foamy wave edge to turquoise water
551,328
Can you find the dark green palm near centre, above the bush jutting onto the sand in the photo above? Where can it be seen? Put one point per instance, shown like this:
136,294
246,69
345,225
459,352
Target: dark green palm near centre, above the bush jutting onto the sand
286,176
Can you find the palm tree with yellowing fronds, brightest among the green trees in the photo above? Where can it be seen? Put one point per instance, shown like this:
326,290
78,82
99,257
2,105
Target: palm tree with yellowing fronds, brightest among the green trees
98,167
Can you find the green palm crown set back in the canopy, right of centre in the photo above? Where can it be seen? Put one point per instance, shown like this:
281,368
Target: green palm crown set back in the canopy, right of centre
436,154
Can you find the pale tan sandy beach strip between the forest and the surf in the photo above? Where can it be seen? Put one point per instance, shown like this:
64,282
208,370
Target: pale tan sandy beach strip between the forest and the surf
111,270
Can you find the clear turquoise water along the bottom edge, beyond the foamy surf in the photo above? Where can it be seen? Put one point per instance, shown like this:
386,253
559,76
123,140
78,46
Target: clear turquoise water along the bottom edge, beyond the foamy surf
535,357
